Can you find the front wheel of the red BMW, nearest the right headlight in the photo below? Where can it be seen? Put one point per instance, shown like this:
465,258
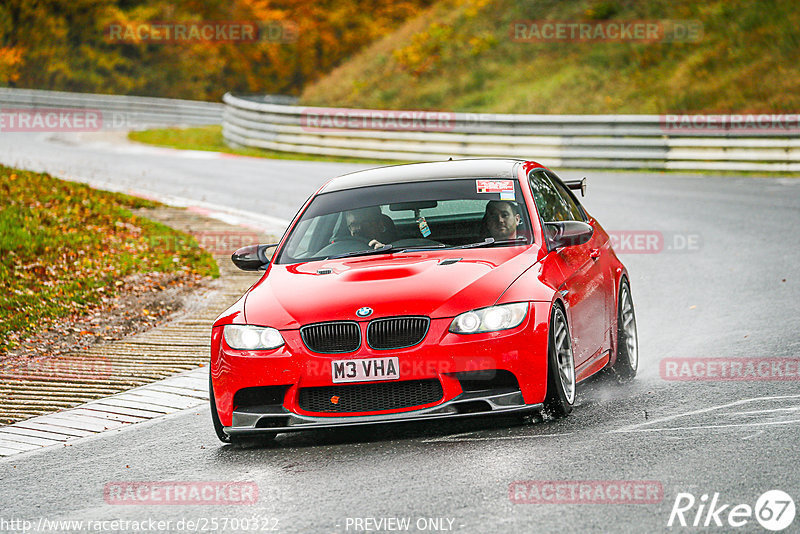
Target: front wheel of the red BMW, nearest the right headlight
561,384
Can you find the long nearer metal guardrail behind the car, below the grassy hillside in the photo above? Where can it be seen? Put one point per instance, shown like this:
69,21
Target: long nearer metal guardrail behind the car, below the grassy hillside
567,141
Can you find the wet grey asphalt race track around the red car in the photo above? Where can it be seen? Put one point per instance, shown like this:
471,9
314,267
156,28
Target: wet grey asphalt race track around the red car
735,295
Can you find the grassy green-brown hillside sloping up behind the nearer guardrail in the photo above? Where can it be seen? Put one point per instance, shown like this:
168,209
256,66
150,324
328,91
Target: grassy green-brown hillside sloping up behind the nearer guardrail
460,56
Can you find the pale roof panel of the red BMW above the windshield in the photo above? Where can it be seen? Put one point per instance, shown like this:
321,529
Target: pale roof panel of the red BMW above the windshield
421,172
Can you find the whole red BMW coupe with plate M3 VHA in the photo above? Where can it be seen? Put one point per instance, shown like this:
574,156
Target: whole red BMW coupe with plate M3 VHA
423,291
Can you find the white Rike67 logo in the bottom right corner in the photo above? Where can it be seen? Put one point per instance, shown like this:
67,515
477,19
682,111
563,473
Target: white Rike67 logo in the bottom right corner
774,510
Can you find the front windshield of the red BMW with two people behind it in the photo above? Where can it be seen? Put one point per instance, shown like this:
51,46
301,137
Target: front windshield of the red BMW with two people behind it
418,215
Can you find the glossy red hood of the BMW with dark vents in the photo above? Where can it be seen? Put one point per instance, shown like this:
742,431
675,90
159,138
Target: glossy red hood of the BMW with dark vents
427,283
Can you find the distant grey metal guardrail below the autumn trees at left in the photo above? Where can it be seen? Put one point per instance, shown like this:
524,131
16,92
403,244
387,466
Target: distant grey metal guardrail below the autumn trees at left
118,112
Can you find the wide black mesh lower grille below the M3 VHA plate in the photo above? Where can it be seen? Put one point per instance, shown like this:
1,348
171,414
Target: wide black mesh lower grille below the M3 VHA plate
370,397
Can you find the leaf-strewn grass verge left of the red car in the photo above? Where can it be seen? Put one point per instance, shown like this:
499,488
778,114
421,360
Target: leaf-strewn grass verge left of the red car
65,247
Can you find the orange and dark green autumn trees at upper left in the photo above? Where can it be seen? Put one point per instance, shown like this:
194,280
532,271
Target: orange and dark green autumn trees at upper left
65,45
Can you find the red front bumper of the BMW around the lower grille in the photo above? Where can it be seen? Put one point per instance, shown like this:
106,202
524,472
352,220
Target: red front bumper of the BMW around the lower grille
442,355
